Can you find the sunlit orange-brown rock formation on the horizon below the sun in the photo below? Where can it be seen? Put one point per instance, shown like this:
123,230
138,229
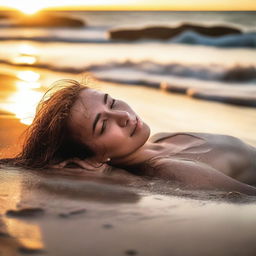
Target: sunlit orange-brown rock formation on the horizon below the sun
47,20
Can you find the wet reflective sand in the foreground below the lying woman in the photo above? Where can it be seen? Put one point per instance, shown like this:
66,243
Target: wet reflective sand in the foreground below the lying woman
144,221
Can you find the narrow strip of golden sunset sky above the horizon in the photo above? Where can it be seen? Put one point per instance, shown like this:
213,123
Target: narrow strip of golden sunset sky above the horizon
34,5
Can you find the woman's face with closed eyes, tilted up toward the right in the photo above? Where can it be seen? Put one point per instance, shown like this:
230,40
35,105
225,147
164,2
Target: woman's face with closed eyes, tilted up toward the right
108,126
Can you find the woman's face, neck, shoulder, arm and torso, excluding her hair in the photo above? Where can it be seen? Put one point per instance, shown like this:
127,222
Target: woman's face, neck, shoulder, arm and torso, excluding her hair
113,130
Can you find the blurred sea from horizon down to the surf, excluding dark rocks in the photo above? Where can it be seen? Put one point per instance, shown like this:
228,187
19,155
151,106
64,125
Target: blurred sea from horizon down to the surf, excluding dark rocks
188,59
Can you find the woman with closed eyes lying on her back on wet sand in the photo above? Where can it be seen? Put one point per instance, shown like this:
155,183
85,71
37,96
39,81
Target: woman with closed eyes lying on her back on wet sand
77,124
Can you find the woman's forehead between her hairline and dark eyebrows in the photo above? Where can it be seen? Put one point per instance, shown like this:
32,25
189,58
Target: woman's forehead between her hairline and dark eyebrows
84,111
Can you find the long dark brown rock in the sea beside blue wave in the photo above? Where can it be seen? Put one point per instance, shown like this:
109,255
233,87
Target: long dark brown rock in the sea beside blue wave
166,33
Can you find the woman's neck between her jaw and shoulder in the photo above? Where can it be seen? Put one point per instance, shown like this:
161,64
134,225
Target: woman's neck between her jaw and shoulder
140,155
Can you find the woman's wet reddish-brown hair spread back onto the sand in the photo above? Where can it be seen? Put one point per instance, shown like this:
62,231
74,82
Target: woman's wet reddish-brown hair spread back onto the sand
48,140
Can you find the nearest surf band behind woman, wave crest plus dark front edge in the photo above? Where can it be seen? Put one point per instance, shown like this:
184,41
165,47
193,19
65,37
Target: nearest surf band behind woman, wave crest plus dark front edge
233,85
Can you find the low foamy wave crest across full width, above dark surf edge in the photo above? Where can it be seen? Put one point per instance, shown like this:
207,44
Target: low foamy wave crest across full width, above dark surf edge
233,74
